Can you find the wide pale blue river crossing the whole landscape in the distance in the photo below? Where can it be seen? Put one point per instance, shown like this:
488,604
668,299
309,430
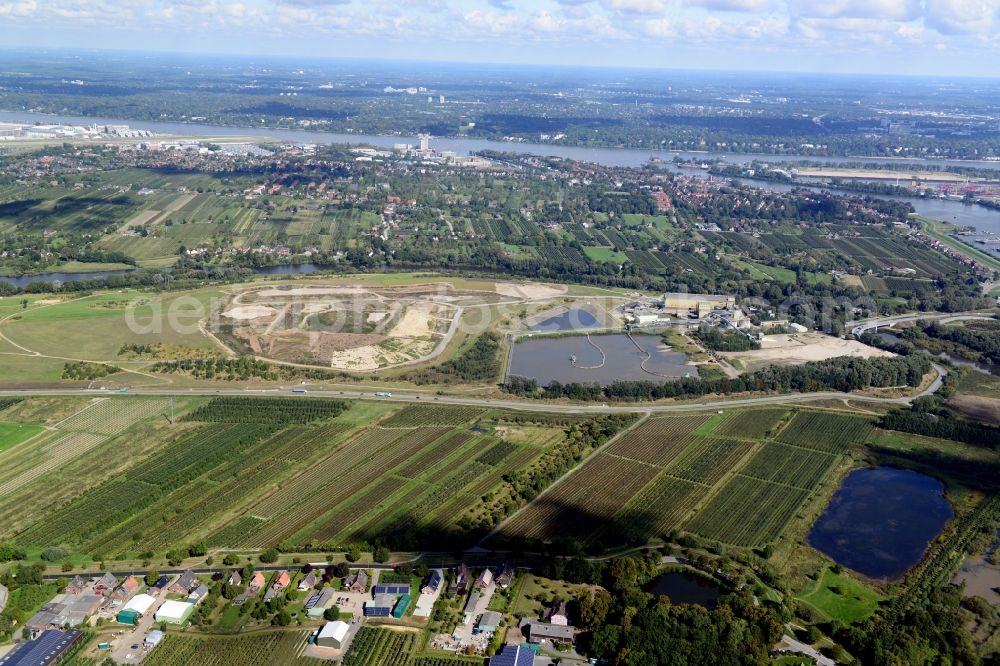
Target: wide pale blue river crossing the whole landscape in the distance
949,211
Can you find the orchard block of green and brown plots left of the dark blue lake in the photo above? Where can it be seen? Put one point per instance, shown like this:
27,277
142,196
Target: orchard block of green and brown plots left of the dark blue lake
715,475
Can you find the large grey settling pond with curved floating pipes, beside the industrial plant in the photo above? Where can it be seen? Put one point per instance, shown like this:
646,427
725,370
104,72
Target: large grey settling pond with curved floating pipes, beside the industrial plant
598,358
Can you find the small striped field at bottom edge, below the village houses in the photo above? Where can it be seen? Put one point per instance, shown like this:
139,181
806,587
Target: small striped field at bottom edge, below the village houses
257,649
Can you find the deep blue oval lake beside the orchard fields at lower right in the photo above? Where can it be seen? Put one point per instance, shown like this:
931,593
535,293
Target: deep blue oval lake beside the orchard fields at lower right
881,520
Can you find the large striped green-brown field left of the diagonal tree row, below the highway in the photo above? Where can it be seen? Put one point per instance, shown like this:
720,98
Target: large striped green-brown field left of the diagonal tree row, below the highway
257,472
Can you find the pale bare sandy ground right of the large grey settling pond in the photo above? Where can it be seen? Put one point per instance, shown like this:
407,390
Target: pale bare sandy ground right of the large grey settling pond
798,348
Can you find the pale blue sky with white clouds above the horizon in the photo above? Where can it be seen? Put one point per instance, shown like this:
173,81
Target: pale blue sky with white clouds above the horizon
934,37
